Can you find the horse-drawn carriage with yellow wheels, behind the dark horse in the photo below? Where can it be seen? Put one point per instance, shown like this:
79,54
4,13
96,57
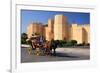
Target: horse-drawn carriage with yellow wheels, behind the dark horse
38,46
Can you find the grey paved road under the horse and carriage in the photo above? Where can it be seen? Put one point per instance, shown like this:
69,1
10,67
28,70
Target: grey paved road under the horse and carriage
63,54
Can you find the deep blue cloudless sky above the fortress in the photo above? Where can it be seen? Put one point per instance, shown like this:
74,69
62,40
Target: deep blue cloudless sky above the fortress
28,16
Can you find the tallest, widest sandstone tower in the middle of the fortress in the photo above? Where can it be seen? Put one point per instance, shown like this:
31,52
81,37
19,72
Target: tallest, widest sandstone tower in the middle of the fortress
60,28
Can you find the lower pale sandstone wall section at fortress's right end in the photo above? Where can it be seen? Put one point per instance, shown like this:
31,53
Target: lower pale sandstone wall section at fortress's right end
80,33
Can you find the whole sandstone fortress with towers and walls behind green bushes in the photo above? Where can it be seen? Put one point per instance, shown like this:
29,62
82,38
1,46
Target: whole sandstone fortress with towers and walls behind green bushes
59,29
